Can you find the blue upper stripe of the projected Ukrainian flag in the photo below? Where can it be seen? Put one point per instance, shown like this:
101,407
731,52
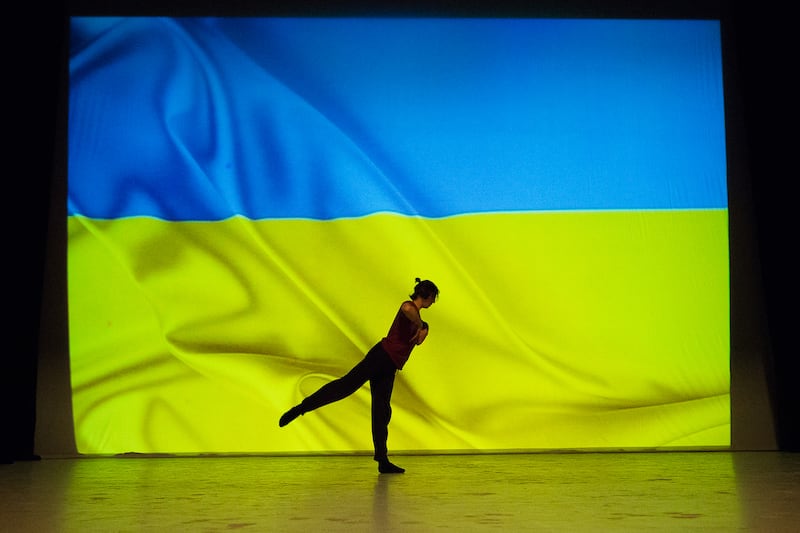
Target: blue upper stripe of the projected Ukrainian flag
204,119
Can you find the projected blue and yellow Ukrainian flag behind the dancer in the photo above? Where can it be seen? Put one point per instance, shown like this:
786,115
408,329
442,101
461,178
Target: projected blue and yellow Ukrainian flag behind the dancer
250,201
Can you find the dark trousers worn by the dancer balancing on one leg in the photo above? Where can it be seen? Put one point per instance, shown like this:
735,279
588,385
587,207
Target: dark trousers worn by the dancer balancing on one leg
377,368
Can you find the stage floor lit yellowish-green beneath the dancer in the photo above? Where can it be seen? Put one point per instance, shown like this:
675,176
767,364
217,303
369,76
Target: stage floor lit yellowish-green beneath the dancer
592,492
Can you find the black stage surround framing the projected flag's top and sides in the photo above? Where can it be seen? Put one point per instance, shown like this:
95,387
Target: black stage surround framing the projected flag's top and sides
760,116
